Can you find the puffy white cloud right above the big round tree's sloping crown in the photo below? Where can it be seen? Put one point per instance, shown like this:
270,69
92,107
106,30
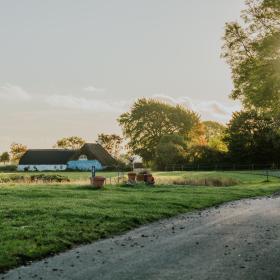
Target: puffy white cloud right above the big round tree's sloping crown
209,110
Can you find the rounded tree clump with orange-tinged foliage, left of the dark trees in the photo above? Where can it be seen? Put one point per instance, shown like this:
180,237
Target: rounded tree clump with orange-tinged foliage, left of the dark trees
162,134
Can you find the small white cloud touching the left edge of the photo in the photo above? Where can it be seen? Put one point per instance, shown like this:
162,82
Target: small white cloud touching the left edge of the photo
13,93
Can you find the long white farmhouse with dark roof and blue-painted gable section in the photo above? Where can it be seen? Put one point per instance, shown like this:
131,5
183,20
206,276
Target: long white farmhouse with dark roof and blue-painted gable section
58,159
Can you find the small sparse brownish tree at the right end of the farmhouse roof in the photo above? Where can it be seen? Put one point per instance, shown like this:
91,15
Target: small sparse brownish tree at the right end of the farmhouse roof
111,143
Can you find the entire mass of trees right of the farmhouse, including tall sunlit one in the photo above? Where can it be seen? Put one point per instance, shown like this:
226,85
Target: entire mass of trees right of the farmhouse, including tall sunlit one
165,135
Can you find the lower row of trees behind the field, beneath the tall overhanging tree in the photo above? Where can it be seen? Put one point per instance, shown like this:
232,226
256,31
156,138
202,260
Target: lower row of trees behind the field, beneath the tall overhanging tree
165,135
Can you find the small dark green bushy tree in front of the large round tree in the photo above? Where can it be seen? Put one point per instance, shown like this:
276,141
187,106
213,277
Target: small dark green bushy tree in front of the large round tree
172,149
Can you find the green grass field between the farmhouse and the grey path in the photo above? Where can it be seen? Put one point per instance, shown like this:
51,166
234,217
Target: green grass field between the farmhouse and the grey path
38,220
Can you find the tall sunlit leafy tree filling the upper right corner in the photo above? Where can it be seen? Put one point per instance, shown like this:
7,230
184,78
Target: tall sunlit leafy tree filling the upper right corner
253,52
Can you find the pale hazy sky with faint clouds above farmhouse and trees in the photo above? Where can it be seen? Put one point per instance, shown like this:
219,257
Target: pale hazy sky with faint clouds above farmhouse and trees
71,67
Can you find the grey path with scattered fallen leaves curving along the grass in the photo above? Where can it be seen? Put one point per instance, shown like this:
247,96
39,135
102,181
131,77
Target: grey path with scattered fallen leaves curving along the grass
239,240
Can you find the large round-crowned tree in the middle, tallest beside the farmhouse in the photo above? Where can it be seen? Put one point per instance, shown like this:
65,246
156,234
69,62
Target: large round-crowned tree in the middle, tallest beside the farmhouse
149,120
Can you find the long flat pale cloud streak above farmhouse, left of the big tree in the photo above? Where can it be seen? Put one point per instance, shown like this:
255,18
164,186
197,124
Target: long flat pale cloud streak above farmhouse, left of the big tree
80,103
